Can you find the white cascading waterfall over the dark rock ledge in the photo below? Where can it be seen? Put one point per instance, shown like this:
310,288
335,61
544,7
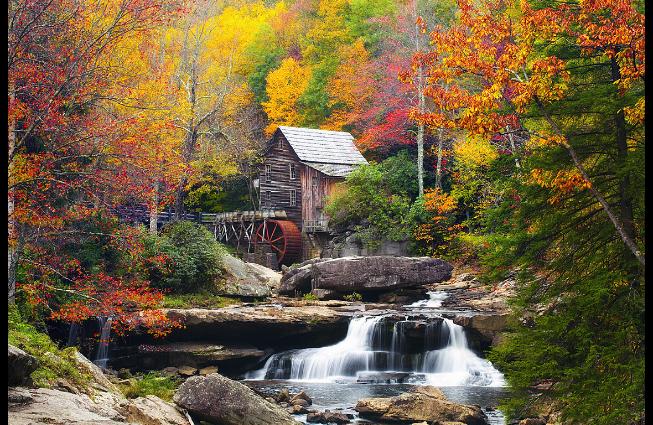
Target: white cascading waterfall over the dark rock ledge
444,359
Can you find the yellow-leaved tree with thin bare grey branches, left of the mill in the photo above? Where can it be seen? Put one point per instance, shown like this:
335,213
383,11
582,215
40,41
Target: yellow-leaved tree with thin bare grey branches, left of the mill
209,51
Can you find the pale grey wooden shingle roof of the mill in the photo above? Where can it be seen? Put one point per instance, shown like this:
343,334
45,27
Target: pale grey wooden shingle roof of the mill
323,146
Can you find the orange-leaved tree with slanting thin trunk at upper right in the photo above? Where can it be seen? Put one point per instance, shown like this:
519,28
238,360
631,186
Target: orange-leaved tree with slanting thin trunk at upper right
513,77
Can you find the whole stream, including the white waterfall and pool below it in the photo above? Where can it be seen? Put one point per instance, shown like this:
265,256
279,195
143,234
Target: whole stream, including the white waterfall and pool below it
384,355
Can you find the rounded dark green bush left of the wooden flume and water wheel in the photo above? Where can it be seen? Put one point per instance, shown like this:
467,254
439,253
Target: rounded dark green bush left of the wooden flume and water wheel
192,257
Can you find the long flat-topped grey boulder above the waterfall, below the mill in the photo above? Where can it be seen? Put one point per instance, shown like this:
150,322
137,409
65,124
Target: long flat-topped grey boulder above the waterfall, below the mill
365,274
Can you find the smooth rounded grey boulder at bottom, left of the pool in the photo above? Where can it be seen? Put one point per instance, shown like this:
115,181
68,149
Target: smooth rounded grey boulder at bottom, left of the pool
217,399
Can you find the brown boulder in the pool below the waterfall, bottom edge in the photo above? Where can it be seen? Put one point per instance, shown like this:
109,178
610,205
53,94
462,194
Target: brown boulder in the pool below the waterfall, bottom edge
422,404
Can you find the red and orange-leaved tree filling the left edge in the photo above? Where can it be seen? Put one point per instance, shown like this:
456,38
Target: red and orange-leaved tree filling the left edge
65,77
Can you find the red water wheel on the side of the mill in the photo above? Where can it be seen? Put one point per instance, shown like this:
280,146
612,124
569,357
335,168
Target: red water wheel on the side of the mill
283,237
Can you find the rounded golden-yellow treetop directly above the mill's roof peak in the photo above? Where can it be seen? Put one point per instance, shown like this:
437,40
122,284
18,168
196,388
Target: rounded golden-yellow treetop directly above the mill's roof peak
284,87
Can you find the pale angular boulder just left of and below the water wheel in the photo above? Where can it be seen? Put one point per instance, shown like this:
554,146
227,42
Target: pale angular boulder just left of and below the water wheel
246,280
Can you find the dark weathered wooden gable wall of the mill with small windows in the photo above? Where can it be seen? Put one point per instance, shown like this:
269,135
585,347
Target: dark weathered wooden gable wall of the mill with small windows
279,160
